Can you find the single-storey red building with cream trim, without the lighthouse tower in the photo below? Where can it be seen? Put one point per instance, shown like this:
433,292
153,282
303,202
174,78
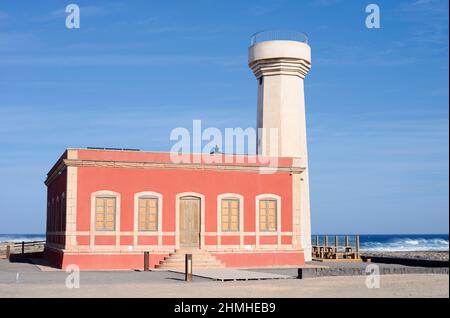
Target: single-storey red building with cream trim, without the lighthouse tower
106,207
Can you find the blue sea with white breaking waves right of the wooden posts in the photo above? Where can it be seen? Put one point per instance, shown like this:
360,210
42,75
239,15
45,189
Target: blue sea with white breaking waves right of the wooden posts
406,245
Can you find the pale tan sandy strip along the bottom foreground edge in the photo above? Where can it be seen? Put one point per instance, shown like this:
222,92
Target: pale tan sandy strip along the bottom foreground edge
391,286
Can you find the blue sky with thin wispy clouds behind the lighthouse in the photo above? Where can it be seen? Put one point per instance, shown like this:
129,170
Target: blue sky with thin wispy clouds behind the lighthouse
377,99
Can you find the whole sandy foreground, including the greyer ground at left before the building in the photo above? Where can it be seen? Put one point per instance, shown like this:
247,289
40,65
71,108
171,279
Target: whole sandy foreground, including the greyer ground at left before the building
26,280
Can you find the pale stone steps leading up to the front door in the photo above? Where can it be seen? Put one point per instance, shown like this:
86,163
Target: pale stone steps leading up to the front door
200,259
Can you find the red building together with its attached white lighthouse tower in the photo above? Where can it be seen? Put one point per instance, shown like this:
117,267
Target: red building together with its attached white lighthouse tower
105,208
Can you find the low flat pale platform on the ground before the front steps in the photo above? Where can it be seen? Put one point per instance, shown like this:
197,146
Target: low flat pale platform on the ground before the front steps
228,274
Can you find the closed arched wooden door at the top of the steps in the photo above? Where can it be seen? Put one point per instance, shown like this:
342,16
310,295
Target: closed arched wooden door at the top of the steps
189,222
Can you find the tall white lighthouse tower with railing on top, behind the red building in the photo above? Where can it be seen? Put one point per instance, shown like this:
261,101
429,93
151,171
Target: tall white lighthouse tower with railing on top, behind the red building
280,61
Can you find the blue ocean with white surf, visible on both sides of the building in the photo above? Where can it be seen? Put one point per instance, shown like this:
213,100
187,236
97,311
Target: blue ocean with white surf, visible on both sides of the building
379,243
